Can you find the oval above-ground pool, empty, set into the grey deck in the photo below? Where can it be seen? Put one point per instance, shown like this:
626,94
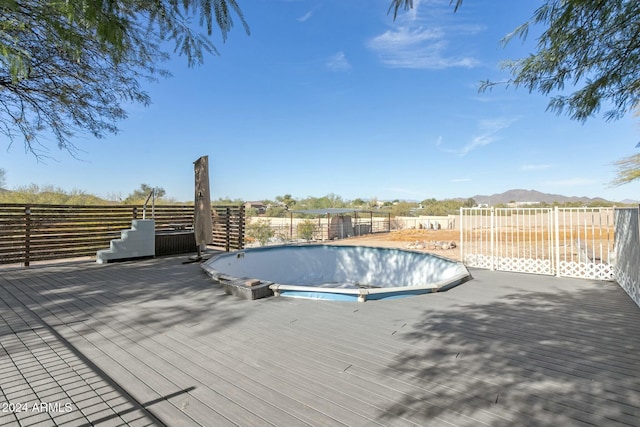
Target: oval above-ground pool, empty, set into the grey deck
339,272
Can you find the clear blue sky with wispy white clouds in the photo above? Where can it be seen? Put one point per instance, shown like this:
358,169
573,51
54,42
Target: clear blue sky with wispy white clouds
333,96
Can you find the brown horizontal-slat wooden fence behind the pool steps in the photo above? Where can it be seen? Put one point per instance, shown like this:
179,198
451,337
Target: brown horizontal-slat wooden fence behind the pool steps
45,232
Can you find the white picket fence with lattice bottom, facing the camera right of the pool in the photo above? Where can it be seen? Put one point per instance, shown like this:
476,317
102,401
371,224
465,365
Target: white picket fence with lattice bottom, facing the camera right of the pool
571,242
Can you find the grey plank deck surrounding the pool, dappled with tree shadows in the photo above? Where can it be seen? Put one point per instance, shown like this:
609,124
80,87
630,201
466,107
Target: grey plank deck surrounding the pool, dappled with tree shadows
155,342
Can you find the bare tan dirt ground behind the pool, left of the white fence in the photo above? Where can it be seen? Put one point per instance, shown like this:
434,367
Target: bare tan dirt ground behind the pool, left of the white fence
432,241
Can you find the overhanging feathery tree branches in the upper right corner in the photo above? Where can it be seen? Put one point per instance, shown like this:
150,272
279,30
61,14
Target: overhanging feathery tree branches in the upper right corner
593,45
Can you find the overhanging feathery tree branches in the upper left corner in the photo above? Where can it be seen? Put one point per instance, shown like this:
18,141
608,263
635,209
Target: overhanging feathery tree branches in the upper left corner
66,66
